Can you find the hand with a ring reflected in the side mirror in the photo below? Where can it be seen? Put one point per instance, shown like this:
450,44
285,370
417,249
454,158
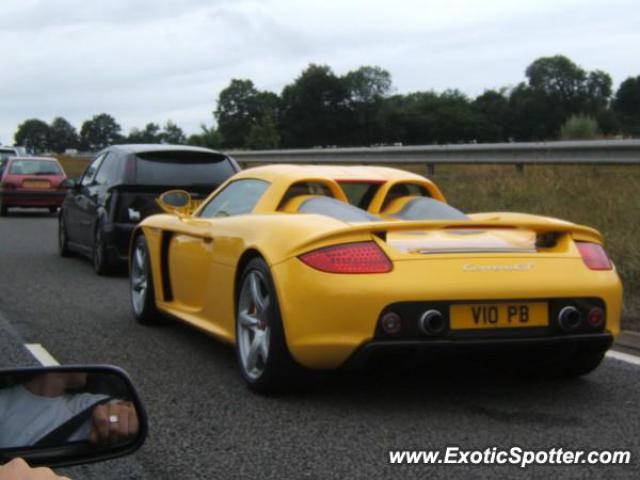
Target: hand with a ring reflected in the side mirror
113,423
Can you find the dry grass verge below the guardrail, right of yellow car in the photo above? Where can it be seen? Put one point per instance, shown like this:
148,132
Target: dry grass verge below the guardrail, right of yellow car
606,198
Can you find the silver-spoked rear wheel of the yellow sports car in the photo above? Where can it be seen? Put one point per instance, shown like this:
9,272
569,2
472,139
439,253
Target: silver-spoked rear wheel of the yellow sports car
263,357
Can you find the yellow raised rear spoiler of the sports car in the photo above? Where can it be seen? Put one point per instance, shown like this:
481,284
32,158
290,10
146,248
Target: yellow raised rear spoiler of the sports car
540,227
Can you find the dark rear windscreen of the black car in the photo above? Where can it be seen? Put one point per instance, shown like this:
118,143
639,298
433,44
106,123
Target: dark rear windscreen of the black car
182,168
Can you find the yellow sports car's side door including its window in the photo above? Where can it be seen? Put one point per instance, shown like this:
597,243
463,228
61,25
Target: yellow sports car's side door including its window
196,253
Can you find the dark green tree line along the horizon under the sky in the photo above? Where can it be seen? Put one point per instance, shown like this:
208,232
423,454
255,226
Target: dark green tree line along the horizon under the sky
319,108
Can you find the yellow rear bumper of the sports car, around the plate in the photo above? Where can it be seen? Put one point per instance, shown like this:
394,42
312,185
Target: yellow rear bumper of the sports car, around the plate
329,317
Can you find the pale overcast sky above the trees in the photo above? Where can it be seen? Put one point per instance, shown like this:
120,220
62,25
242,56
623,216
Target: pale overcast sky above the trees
149,61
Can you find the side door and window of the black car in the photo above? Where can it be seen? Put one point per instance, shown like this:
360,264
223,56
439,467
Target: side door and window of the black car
77,206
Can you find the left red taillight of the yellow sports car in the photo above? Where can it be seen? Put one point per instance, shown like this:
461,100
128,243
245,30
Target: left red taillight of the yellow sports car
362,257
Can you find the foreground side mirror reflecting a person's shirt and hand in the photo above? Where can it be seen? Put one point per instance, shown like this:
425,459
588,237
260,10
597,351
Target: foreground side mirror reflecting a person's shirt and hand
67,415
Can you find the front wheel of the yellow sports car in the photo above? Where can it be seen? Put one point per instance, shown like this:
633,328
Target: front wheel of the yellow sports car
143,302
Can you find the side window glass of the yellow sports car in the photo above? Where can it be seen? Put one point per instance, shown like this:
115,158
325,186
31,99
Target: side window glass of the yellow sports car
237,198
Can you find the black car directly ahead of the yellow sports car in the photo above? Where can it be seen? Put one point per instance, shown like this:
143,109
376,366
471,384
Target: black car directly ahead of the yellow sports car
119,189
